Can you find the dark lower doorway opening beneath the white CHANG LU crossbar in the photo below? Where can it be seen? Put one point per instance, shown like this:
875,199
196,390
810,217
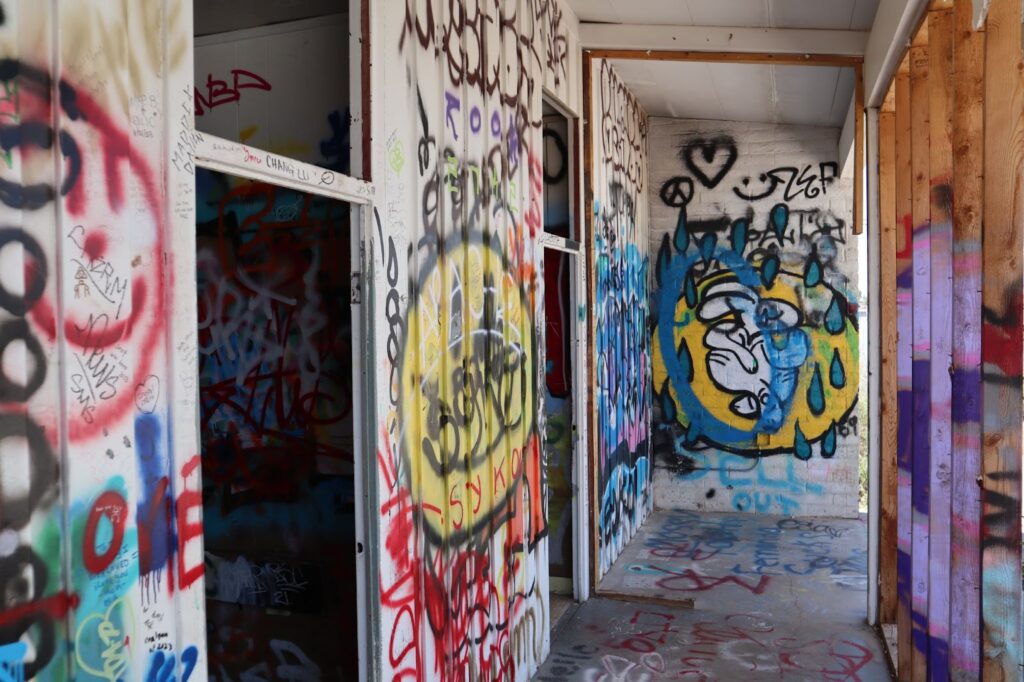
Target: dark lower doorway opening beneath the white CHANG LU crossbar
276,396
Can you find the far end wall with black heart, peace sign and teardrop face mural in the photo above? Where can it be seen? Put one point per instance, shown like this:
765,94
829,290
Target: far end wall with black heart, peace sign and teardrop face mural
755,320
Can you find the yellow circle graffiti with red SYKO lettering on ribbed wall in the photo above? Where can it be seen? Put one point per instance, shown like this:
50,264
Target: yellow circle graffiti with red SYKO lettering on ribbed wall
468,392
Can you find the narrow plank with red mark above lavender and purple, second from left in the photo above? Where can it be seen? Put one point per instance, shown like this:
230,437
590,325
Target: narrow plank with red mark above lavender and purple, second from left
905,387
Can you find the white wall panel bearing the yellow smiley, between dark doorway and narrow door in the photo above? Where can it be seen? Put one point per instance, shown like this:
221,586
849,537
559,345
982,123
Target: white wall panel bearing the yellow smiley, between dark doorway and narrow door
457,294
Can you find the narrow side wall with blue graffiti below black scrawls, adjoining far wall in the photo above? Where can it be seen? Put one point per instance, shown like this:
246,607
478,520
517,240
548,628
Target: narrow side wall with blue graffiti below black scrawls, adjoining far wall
622,348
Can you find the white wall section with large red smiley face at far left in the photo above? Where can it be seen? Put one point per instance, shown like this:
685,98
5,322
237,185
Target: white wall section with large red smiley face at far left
102,560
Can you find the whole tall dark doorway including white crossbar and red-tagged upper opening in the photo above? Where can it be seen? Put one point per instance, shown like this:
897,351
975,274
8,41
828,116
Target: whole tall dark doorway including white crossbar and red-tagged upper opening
279,238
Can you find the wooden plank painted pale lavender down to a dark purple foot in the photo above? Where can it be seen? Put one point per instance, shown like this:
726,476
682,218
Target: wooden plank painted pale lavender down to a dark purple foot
941,96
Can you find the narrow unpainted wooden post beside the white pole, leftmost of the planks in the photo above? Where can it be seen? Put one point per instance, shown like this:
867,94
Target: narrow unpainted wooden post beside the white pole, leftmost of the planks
888,411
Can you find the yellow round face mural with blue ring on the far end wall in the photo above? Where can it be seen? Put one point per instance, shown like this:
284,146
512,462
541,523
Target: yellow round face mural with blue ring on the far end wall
759,370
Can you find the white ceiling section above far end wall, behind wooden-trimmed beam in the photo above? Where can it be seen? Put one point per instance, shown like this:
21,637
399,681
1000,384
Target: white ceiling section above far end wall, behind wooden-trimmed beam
794,96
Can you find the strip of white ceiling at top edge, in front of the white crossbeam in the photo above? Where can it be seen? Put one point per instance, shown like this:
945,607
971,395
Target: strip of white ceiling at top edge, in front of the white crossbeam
834,15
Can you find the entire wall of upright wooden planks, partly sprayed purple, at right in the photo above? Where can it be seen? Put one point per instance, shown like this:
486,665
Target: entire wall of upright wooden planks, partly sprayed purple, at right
952,194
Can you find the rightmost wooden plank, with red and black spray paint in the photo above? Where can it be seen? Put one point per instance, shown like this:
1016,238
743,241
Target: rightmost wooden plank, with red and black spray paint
1001,352
